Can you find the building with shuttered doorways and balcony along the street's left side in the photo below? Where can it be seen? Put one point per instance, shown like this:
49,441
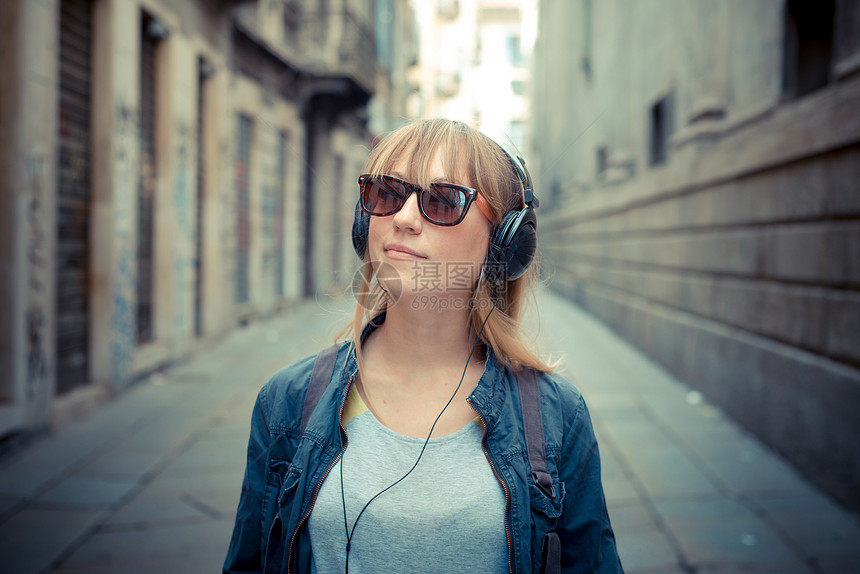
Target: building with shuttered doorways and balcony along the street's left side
171,171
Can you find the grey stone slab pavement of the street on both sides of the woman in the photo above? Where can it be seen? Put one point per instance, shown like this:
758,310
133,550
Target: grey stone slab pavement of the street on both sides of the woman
149,483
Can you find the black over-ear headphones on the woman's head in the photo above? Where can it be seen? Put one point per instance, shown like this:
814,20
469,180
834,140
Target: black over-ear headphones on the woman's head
514,242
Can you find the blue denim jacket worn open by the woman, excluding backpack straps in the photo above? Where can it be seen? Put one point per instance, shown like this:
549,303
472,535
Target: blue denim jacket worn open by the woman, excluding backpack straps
285,470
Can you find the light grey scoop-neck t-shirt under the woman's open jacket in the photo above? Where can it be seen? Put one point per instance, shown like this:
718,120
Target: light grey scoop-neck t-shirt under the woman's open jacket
447,516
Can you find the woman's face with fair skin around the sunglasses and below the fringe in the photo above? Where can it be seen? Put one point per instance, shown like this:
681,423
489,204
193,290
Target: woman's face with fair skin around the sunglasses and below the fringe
430,259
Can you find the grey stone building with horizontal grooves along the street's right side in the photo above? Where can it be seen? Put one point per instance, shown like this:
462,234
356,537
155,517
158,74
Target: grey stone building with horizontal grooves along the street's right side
700,166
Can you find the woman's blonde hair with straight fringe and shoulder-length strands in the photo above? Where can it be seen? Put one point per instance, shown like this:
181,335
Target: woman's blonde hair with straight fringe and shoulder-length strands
489,170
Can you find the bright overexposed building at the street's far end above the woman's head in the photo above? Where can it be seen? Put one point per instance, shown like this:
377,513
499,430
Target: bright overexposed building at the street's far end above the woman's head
474,65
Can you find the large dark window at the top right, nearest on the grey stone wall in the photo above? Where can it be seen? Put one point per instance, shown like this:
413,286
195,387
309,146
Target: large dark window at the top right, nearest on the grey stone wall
807,46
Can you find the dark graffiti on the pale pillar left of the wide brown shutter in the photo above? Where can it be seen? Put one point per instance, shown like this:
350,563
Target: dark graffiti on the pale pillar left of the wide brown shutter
38,365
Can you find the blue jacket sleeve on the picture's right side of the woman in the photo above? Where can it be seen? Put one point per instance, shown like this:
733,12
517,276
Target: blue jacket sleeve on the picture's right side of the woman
585,533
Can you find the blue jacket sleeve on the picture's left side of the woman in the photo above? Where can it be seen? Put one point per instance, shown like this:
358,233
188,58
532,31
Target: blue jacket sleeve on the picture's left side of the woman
245,551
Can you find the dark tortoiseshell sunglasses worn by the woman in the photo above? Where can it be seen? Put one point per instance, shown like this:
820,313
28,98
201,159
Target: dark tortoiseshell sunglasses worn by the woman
443,204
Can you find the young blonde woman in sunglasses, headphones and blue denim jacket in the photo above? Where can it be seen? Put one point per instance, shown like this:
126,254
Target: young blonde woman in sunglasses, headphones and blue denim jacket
422,449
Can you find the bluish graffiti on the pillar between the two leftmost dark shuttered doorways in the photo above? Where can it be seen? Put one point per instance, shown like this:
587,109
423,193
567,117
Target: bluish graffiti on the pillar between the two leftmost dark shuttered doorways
124,284
